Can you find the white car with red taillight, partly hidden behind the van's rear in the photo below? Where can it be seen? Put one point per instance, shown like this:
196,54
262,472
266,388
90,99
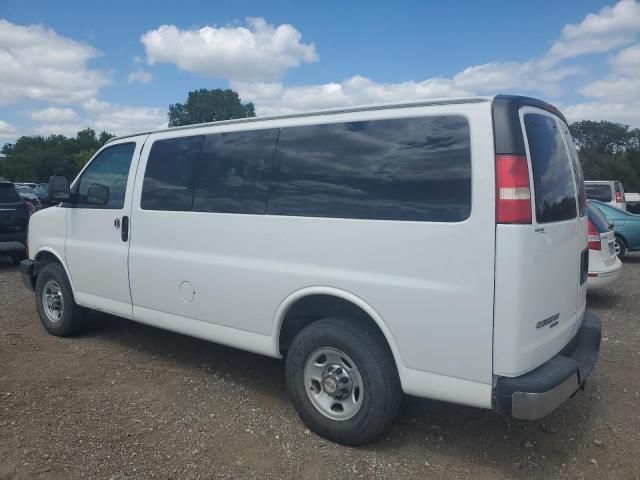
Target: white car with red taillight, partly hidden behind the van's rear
605,267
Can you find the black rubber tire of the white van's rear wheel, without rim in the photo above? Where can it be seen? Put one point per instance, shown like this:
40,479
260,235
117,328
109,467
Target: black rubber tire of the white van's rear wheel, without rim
368,350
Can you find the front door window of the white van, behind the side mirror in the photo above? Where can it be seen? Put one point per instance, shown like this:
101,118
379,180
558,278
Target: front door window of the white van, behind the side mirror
109,169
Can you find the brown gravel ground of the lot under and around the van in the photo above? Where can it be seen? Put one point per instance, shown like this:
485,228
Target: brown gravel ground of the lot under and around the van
128,401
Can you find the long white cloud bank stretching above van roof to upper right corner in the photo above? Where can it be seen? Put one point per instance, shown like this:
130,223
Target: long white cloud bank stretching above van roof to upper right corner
614,97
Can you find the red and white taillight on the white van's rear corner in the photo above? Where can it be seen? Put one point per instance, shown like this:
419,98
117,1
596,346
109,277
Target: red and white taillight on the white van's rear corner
513,191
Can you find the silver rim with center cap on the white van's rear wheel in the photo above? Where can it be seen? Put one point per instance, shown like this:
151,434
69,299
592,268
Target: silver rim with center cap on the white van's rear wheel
333,383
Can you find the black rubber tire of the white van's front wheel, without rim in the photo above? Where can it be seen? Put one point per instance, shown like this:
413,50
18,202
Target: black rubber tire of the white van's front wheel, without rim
71,319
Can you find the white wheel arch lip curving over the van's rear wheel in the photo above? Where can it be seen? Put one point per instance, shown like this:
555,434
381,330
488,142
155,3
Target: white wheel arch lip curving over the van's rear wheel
295,298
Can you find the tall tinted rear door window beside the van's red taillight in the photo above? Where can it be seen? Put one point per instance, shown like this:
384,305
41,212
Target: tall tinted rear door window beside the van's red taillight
552,173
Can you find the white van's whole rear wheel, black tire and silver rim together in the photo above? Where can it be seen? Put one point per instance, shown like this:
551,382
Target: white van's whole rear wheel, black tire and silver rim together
343,381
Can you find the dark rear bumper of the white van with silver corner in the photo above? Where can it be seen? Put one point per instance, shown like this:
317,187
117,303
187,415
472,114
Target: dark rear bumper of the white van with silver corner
536,394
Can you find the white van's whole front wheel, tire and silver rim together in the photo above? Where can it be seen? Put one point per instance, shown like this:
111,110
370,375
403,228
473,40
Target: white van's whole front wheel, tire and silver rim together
57,309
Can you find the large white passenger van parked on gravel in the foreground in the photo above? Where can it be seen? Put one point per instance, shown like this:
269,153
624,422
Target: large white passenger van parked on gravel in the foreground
436,248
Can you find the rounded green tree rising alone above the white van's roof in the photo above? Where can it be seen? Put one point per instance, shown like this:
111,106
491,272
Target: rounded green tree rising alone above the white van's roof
209,106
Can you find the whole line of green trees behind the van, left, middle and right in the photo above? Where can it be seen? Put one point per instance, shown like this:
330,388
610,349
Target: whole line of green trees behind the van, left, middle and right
607,150
